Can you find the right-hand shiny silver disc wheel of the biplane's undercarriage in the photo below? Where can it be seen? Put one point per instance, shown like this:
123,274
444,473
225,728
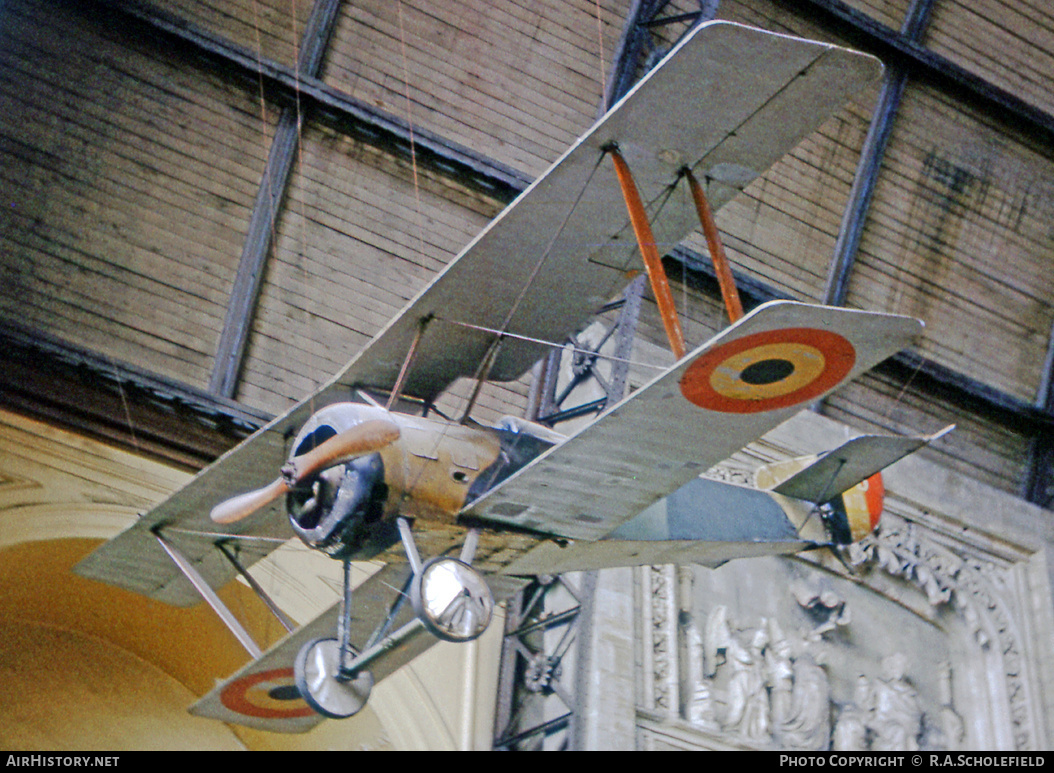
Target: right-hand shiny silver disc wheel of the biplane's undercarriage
453,600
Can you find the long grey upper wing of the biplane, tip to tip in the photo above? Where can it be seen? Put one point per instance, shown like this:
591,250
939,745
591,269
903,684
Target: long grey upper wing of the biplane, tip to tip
729,102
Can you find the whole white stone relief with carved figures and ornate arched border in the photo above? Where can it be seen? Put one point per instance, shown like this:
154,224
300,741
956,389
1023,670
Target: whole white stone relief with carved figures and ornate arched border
770,684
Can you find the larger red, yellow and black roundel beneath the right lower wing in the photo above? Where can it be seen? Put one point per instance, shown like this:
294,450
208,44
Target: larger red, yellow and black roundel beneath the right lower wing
769,371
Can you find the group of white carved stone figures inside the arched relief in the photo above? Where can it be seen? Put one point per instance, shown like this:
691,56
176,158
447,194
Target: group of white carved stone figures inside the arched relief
771,689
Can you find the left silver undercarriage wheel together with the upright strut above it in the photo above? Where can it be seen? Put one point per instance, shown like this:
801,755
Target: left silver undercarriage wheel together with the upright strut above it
322,672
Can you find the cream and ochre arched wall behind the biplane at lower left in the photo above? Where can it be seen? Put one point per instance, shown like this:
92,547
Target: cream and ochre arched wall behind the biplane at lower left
85,666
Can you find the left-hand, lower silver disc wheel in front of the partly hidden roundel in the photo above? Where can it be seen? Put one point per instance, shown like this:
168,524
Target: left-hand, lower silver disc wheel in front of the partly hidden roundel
318,674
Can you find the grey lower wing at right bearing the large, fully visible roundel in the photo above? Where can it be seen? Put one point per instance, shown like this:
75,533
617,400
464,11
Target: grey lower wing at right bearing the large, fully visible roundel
729,393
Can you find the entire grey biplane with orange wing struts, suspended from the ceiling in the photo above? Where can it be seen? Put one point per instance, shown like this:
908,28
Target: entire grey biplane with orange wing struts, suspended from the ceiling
359,479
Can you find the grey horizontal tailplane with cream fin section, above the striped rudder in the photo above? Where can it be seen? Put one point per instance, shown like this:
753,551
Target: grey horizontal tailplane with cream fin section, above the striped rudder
843,469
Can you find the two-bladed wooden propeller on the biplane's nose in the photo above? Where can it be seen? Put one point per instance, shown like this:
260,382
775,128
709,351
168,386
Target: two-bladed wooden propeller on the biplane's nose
362,439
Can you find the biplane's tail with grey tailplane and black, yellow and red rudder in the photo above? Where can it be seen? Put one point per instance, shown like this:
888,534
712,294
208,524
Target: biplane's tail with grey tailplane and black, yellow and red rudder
853,471
